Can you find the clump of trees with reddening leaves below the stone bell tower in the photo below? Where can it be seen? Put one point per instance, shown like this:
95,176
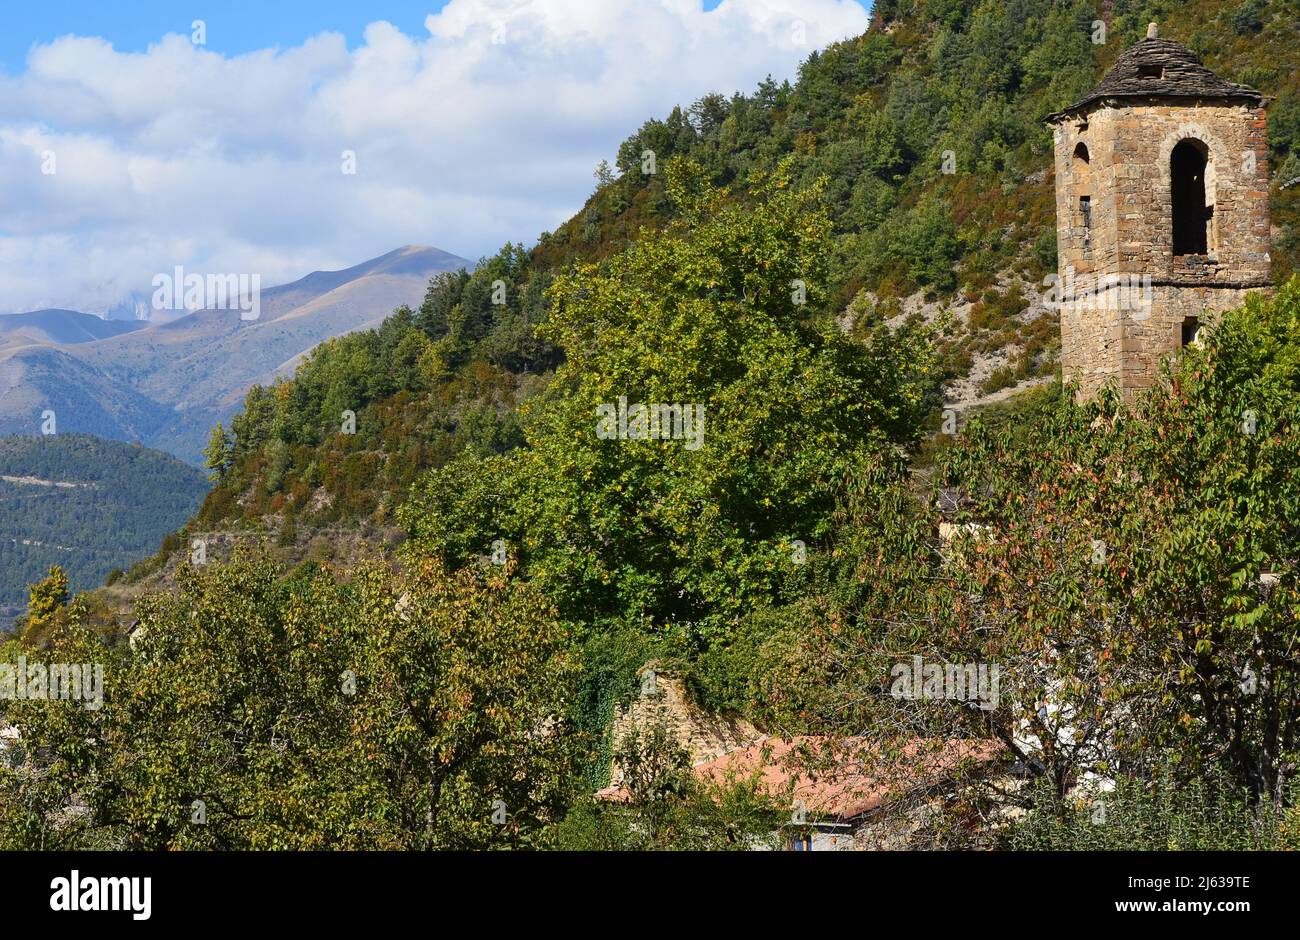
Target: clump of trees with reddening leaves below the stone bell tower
1128,568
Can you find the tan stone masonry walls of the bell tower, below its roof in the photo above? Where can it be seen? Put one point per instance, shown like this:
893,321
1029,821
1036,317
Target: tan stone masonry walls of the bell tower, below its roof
1123,335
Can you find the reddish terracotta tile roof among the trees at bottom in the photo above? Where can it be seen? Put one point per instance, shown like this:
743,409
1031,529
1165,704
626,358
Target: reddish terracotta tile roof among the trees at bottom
848,779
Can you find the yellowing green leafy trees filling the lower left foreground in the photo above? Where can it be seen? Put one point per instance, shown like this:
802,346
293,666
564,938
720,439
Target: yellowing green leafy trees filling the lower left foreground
404,712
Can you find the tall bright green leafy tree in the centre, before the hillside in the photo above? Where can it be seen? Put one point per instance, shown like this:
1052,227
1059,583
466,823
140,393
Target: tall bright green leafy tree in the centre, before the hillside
712,315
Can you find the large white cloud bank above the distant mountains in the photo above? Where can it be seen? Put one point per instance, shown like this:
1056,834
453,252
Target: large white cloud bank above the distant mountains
484,131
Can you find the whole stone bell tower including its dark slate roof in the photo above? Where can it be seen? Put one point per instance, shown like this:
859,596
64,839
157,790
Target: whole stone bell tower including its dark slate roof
1163,213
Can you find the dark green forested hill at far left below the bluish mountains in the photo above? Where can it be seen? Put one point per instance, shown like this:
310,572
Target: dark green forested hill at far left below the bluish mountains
86,505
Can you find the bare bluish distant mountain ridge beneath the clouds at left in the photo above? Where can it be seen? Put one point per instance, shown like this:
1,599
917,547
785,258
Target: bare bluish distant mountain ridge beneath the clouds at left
167,383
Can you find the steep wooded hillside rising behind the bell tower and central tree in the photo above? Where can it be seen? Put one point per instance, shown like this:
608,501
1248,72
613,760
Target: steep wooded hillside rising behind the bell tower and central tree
874,118
